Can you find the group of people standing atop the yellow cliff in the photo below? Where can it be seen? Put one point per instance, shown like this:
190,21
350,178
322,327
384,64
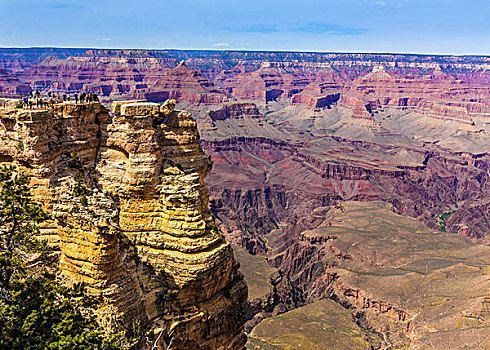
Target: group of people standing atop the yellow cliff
35,100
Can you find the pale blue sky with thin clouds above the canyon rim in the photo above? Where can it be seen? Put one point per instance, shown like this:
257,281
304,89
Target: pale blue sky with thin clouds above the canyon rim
411,26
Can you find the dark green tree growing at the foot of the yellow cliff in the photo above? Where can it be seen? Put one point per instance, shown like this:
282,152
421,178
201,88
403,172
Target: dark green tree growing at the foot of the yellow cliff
36,312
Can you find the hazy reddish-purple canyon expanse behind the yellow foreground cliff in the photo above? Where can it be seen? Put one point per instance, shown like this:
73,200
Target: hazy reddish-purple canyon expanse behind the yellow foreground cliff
355,188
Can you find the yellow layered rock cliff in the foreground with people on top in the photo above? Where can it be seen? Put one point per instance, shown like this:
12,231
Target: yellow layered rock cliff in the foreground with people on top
131,217
